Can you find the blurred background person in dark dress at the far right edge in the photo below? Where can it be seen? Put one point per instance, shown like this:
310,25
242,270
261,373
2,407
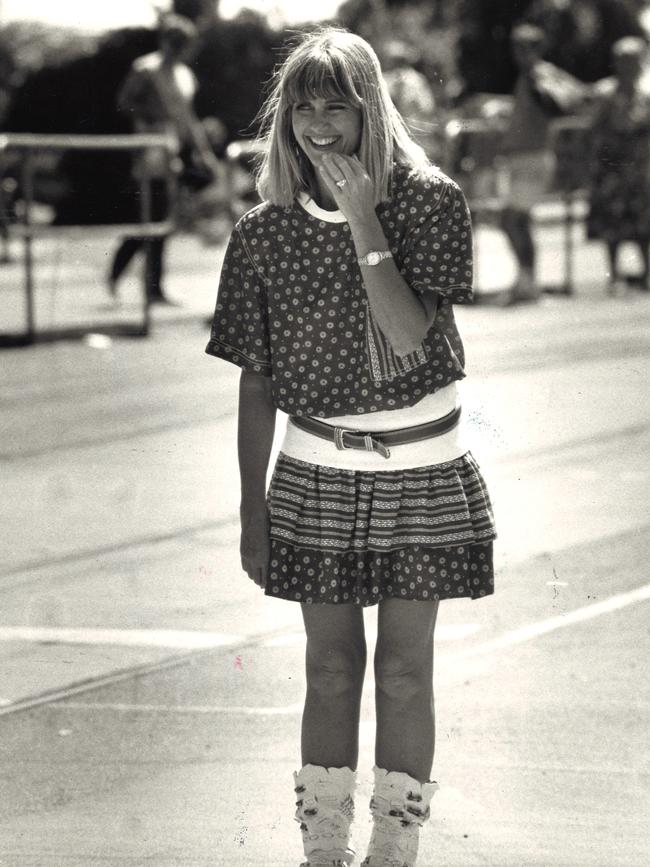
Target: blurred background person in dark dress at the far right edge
620,178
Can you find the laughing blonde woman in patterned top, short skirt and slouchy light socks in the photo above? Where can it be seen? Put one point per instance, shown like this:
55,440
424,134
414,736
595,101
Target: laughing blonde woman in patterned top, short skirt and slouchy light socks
335,300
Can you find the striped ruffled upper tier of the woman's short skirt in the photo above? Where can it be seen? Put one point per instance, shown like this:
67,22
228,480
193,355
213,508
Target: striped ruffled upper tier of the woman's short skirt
329,509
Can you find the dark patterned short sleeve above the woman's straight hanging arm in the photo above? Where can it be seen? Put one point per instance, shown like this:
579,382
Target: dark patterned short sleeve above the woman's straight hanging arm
240,326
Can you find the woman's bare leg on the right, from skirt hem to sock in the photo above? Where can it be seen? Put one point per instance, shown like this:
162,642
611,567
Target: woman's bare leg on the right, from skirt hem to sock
404,687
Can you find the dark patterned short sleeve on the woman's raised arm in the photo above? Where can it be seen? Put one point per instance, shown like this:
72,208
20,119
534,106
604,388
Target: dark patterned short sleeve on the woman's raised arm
438,254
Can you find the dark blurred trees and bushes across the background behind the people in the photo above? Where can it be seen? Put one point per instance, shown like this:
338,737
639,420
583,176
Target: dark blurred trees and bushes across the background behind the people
234,59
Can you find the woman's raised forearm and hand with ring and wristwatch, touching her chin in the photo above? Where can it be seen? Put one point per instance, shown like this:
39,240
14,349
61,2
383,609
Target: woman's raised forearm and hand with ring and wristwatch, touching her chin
403,316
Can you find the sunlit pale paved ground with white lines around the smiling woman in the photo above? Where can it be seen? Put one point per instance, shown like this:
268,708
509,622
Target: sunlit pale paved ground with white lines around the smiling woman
151,696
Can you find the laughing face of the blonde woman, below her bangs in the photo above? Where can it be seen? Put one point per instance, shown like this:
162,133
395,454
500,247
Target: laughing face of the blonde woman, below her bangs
326,125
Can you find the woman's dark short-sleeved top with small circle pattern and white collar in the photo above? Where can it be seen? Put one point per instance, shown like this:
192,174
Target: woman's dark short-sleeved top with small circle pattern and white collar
292,304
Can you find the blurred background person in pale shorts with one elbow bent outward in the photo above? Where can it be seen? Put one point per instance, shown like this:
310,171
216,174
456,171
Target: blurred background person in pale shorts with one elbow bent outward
542,91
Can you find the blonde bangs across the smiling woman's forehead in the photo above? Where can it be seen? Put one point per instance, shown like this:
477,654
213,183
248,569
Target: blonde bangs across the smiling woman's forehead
323,75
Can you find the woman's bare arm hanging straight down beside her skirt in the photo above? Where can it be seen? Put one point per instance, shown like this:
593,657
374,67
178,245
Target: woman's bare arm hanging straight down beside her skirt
256,426
